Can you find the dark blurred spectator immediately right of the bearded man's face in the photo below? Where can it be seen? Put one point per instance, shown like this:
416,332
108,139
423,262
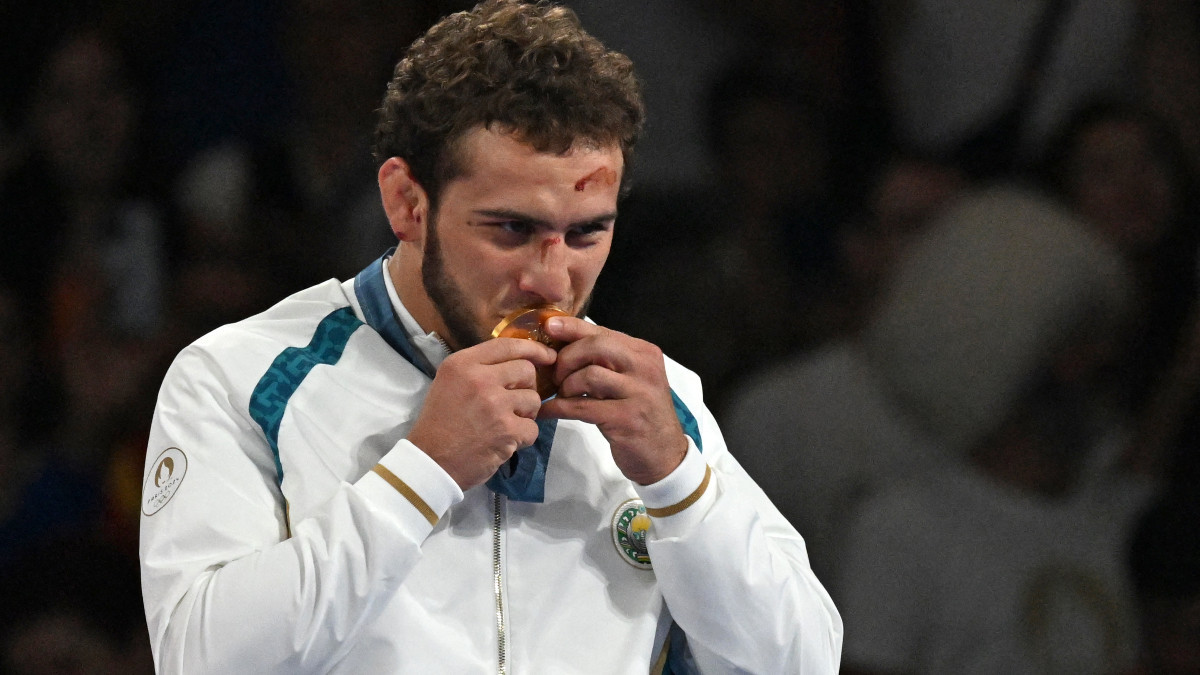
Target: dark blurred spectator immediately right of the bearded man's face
739,266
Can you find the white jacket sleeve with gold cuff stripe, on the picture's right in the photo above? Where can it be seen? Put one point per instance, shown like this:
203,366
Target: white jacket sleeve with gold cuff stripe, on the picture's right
734,572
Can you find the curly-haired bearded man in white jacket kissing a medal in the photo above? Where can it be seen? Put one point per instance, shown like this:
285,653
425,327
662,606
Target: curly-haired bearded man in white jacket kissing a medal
359,481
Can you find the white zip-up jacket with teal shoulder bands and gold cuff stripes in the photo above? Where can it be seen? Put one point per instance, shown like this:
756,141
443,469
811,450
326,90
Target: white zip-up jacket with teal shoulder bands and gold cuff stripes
290,528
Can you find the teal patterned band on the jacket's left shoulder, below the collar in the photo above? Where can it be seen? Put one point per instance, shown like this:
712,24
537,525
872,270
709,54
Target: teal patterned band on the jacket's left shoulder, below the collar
289,371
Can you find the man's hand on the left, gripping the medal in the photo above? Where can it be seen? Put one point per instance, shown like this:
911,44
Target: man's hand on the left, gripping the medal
482,408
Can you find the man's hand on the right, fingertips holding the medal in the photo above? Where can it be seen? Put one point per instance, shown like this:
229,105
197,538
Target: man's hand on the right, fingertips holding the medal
620,384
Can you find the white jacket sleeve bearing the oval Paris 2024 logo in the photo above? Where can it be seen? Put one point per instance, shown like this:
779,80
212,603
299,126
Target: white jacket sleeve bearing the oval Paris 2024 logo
227,589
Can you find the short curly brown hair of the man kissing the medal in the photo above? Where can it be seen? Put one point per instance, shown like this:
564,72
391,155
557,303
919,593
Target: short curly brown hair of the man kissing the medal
526,69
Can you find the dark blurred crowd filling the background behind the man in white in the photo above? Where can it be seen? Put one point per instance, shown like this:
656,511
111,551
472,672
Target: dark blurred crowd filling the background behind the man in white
935,261
